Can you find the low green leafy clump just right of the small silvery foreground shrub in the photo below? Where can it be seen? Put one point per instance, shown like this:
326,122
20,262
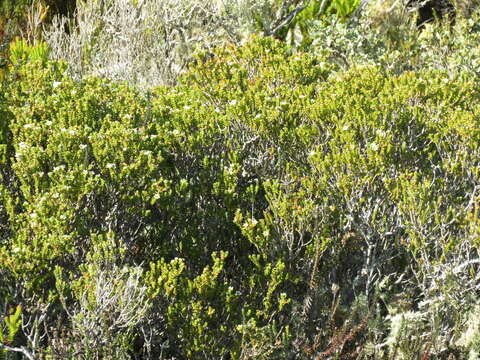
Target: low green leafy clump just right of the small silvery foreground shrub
198,309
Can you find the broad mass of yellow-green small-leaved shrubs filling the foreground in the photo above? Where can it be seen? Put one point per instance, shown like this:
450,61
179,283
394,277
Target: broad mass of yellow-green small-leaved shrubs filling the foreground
241,212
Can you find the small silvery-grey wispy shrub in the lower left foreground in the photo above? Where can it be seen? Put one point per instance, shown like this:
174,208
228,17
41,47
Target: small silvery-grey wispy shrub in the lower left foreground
109,316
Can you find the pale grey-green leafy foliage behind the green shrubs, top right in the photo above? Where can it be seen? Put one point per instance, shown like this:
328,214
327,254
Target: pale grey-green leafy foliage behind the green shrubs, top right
388,38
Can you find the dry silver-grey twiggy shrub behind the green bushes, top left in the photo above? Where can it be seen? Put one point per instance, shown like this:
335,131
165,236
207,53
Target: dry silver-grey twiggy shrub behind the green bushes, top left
146,42
